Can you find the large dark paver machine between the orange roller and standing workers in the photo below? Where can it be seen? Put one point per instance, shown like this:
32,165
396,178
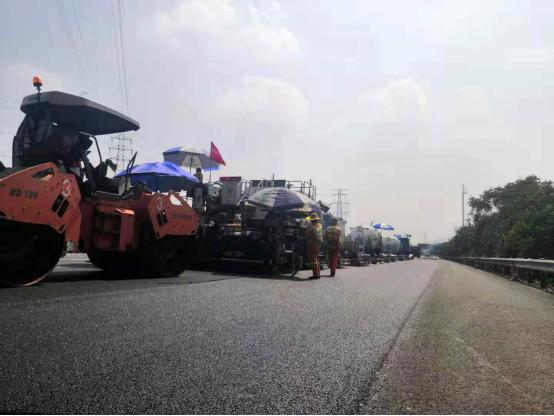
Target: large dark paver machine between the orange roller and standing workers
233,231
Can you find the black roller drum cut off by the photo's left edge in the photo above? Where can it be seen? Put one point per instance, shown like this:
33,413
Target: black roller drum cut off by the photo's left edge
28,252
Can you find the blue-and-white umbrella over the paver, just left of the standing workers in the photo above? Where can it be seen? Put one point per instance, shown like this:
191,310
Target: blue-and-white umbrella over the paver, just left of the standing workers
282,199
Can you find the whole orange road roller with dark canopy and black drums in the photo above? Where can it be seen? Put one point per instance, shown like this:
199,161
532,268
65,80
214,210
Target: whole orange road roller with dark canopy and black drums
53,199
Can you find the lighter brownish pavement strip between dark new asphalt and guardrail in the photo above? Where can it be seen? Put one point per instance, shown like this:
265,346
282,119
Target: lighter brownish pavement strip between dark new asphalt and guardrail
476,343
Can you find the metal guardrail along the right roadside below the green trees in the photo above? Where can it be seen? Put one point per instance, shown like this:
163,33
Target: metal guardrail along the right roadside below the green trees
517,269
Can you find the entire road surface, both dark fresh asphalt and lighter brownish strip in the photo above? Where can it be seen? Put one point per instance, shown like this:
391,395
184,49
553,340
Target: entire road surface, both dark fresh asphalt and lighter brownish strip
422,336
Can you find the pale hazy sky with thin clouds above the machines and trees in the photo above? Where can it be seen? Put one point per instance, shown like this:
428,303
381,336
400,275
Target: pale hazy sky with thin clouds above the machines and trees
399,101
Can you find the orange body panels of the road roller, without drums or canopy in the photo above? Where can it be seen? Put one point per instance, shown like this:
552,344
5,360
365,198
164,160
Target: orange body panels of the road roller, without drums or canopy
44,195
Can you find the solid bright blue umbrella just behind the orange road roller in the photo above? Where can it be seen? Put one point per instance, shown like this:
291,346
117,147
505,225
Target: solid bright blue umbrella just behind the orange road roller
161,176
